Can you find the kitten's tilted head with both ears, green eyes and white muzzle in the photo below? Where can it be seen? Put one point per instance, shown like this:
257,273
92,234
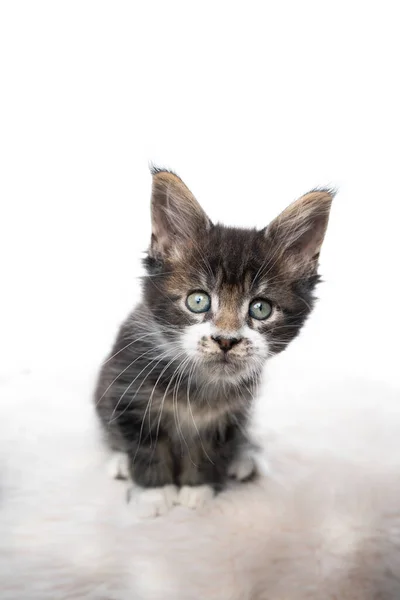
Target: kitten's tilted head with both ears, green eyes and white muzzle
226,298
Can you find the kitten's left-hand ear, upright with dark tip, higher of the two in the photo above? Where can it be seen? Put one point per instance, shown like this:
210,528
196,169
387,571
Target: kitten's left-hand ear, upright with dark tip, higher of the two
177,218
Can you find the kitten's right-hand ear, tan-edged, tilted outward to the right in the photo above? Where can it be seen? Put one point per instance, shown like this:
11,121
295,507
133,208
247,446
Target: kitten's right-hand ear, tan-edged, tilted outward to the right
300,229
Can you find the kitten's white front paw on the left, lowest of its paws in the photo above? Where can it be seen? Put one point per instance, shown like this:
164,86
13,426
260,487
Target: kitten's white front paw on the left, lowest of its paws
151,502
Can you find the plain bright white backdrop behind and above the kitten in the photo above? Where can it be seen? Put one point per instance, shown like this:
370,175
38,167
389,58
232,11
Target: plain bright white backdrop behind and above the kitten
251,103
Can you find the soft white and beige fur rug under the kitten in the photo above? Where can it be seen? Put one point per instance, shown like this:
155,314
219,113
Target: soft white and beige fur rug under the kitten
322,524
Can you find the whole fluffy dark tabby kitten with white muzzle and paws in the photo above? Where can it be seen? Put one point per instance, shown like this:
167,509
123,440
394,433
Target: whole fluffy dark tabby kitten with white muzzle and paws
175,393
